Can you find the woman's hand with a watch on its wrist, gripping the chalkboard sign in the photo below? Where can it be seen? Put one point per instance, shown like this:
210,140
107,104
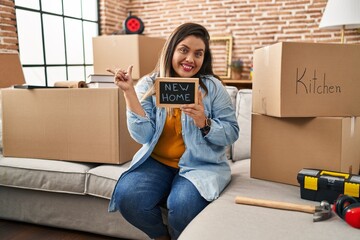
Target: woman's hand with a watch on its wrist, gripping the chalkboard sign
196,111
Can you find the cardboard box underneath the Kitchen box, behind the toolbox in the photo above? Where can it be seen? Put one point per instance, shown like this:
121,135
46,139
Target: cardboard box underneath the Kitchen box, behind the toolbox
281,147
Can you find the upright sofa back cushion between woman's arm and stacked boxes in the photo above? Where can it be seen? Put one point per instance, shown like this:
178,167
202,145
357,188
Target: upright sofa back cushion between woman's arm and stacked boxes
241,148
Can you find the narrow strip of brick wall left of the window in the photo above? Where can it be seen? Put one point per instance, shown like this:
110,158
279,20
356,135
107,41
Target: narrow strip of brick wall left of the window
8,35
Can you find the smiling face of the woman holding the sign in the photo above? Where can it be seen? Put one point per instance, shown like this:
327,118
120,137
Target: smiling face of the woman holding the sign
188,56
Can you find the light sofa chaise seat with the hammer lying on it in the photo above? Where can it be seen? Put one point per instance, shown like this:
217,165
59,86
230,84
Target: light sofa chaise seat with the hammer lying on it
240,221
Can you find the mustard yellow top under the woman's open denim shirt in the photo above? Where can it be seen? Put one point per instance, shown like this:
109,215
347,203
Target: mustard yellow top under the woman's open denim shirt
170,146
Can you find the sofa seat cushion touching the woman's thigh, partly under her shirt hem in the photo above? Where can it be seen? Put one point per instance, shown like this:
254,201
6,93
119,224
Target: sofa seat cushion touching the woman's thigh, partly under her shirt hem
101,180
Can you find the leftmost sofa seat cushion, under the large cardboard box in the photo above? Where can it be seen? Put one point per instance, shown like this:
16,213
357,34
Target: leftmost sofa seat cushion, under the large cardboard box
44,175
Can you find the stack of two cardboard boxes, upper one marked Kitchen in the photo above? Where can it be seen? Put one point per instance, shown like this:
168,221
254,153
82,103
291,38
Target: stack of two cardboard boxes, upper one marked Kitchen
306,109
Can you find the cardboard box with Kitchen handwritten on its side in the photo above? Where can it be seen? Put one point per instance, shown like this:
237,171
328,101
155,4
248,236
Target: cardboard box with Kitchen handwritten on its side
307,80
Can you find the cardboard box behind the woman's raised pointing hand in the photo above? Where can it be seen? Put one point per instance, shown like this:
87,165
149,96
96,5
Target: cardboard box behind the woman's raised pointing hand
121,51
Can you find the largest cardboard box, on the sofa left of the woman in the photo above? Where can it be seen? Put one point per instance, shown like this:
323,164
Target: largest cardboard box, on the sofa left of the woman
85,125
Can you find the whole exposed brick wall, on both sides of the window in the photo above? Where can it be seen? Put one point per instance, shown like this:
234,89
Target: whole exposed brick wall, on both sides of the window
252,23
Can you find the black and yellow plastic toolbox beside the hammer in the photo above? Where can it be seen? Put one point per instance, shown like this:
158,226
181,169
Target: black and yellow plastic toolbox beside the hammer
320,185
